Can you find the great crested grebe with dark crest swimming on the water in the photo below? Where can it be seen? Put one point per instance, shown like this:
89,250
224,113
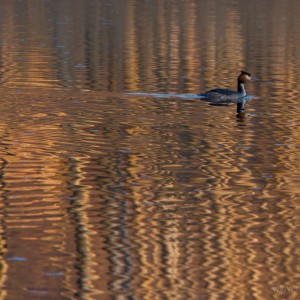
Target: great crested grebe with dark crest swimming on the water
225,94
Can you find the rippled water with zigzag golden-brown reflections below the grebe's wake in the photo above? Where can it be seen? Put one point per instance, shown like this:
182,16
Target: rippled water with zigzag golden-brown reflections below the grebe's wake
142,199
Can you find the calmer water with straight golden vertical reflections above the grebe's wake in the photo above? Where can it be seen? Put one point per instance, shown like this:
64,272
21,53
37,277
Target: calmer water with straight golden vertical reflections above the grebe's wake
145,47
